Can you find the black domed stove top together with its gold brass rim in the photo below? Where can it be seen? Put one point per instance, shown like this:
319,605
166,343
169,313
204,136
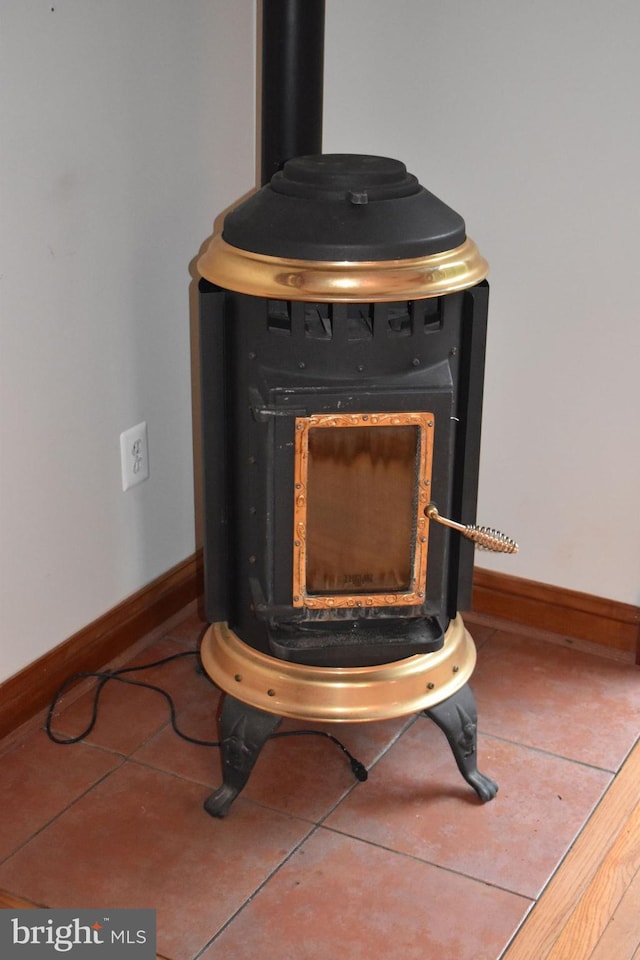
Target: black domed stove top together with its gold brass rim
333,227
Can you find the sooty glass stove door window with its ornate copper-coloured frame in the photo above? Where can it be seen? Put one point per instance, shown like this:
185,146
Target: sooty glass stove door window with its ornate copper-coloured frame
360,532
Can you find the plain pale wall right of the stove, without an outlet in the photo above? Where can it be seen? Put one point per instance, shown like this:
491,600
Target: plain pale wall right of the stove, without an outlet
524,117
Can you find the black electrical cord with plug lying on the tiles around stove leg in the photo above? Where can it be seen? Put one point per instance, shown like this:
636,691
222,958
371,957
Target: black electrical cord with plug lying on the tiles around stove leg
104,676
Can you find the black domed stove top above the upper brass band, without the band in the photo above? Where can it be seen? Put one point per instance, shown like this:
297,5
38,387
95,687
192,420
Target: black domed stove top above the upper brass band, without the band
344,207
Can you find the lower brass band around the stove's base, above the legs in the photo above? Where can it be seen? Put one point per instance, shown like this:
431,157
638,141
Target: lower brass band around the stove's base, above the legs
338,694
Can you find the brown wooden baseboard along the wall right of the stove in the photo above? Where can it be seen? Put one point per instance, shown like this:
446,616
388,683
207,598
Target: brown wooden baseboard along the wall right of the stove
570,613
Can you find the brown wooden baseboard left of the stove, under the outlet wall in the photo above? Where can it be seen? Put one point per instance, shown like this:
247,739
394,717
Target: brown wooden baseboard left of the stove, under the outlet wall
25,694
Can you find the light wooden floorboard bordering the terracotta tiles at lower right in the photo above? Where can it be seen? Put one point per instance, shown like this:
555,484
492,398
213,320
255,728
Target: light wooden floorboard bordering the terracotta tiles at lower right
574,910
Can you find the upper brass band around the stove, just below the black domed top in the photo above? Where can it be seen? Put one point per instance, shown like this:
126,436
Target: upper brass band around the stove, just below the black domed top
349,281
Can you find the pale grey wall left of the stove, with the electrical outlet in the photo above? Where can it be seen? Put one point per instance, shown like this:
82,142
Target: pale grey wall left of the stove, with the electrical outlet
127,126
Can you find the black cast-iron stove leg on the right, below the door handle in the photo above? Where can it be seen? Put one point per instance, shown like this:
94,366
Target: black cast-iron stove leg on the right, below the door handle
457,717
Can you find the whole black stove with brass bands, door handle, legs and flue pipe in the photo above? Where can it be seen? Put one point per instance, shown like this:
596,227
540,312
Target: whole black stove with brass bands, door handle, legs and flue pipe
343,323
